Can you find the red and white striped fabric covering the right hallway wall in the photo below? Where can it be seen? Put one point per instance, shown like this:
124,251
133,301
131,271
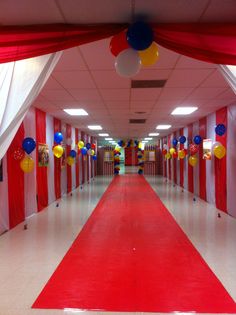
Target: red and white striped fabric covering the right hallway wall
212,180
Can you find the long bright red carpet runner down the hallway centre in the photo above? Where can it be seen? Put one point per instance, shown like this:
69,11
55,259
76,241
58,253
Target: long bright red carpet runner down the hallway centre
132,256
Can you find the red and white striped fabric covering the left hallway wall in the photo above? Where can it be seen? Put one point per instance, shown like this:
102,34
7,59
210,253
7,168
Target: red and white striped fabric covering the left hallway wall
29,190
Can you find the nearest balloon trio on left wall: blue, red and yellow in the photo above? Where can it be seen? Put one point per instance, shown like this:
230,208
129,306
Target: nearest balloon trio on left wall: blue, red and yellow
26,161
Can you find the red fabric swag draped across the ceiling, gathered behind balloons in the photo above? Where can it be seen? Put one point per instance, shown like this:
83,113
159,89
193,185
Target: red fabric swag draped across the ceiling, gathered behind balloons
214,43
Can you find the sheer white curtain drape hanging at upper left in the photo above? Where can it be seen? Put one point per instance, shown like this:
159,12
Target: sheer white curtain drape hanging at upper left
20,84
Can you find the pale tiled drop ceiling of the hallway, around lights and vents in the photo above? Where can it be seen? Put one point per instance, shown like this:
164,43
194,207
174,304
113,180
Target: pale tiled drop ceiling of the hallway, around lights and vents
85,76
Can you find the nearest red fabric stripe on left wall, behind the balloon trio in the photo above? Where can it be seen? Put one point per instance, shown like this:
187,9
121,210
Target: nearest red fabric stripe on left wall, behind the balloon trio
16,193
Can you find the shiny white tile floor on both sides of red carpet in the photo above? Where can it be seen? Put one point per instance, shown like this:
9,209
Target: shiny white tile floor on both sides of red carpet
29,257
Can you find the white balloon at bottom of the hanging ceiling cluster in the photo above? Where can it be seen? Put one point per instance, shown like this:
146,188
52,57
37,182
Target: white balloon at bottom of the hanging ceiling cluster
128,63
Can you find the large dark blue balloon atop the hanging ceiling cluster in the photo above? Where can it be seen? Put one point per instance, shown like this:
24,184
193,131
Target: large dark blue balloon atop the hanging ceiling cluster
140,35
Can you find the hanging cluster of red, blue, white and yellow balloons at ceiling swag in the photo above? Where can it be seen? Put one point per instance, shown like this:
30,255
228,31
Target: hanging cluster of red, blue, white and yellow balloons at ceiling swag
134,48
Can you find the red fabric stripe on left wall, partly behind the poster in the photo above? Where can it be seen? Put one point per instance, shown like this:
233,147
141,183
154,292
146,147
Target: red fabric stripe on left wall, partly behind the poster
41,171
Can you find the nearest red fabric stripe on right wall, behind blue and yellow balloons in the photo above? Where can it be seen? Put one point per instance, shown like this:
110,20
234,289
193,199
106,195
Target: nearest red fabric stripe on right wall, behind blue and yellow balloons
220,165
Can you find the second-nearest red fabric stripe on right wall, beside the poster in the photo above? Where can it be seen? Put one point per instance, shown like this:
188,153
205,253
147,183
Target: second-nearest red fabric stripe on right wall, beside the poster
202,162
